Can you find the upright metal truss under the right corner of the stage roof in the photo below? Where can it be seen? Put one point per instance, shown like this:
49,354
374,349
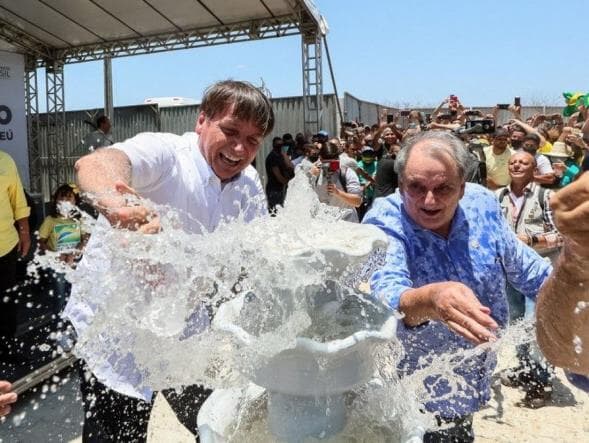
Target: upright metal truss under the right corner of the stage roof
312,83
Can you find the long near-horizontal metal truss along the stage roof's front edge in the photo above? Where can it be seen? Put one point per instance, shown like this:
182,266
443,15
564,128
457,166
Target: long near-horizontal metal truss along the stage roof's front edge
217,35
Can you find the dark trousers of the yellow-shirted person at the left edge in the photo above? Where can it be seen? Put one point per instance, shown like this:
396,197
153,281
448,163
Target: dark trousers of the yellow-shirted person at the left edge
8,307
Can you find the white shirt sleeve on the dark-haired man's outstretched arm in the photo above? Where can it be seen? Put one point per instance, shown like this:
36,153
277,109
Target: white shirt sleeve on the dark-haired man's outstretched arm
152,158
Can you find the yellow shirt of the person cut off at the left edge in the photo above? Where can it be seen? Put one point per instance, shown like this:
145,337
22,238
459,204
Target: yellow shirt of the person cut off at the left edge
13,203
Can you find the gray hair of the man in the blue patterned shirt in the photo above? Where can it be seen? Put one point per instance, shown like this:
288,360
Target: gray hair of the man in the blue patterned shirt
439,142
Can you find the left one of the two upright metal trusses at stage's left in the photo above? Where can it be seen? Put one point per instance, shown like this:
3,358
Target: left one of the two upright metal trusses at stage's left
32,106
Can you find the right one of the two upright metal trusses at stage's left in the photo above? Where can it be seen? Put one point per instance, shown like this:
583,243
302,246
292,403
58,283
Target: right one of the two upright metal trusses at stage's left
55,125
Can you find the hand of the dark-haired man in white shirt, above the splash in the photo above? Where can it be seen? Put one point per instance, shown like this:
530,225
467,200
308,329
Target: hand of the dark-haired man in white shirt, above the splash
132,214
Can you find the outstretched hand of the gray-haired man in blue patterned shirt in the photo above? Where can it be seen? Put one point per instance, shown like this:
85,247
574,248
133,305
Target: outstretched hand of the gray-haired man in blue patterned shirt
456,305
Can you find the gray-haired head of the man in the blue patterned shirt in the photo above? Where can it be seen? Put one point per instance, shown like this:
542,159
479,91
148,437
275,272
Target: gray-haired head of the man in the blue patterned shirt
432,167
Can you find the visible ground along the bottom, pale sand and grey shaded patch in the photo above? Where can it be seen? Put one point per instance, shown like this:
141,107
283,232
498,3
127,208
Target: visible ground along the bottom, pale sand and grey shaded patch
57,416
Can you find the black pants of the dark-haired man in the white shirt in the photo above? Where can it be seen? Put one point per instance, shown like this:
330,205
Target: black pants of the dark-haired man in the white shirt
111,416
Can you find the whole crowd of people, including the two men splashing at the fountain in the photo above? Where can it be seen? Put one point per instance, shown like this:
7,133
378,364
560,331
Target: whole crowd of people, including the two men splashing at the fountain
475,213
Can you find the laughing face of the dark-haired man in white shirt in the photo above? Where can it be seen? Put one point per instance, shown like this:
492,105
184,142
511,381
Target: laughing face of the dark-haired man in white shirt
227,143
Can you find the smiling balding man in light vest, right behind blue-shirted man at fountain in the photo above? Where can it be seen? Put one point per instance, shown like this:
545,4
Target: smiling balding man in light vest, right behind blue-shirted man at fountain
526,207
